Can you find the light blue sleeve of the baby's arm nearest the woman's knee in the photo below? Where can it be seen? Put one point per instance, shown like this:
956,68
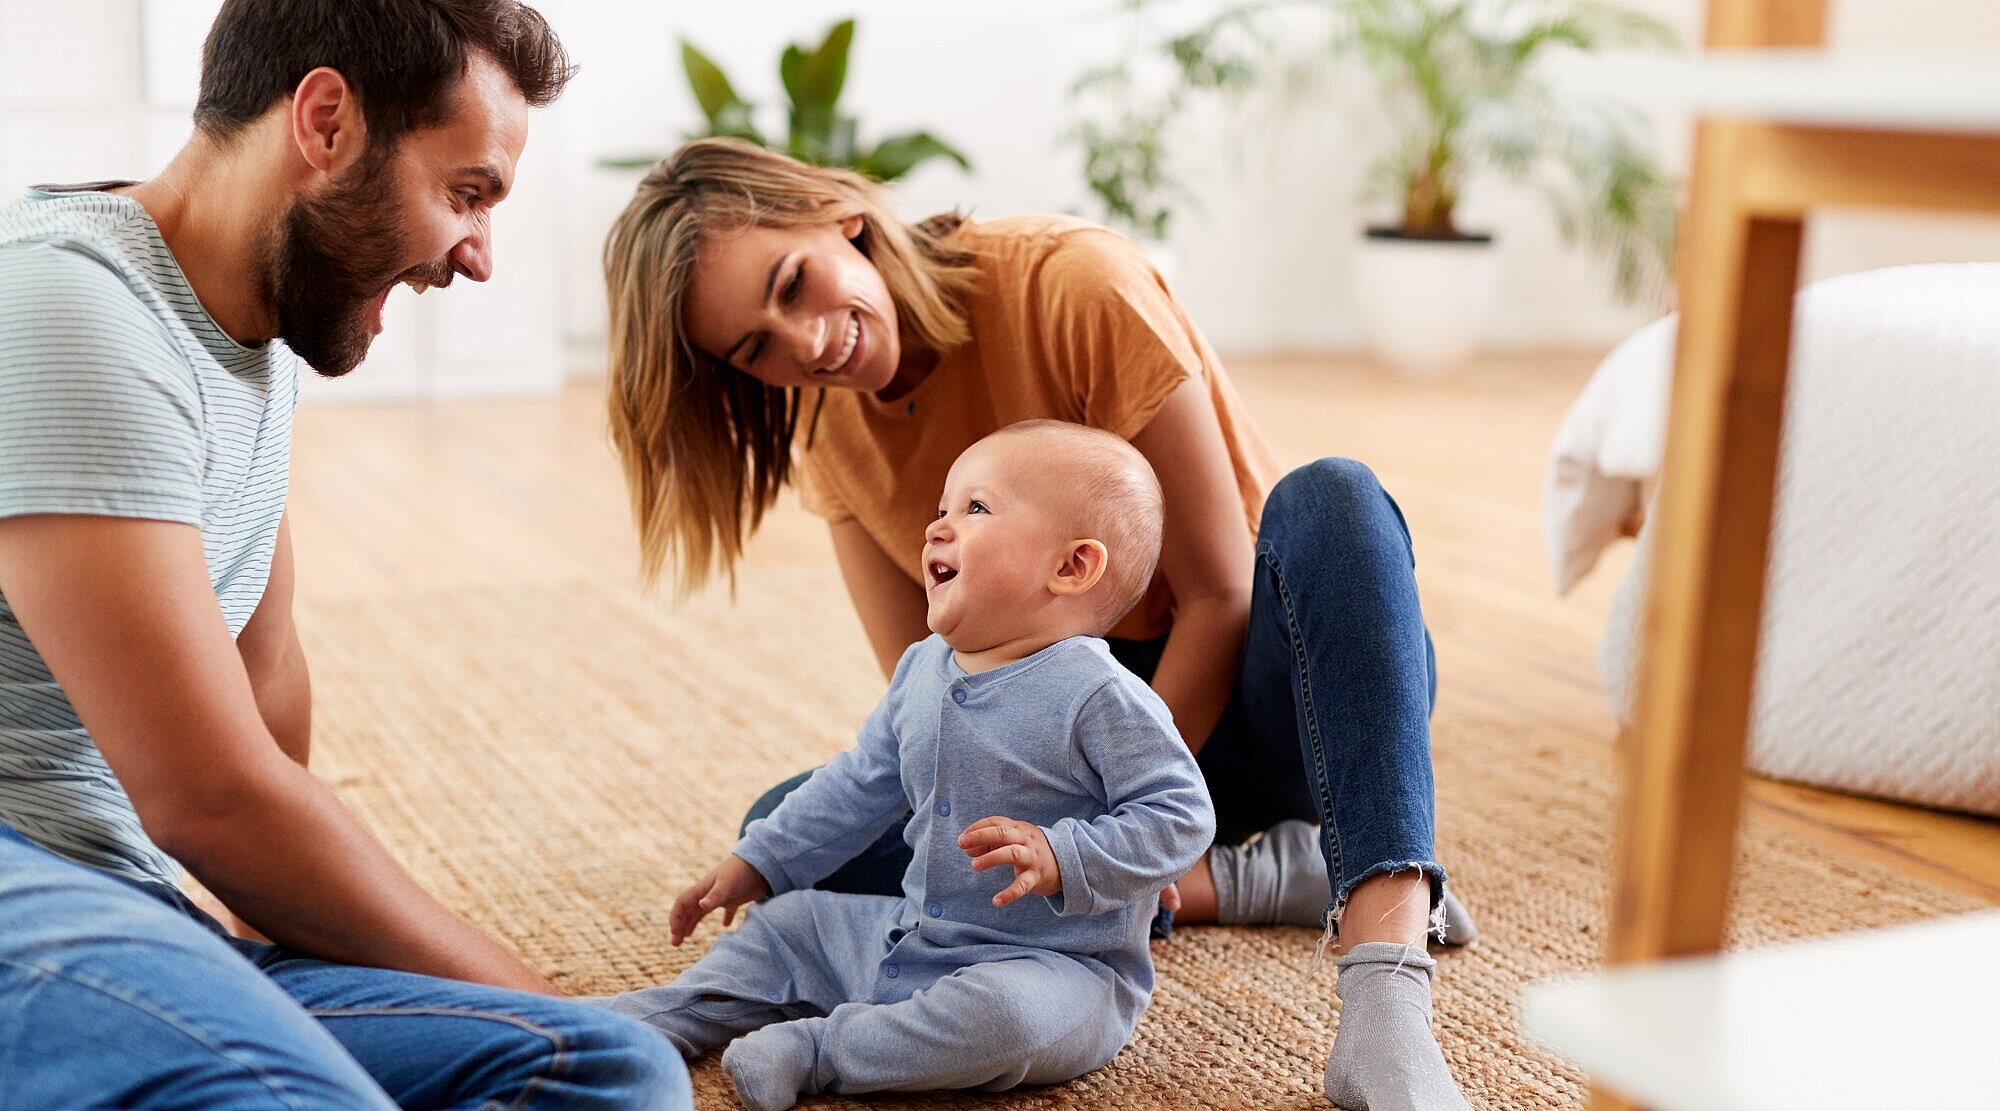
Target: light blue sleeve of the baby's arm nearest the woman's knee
1159,818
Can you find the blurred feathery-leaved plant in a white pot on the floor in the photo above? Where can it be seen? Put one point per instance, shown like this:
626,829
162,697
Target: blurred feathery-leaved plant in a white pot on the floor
1459,93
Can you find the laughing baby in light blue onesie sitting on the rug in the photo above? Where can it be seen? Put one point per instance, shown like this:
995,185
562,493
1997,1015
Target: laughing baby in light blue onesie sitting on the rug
1017,744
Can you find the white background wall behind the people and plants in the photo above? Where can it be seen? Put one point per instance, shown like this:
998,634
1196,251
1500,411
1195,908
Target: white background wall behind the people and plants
1263,263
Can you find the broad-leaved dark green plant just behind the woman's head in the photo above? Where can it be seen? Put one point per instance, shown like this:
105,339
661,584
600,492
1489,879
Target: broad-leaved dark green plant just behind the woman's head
817,131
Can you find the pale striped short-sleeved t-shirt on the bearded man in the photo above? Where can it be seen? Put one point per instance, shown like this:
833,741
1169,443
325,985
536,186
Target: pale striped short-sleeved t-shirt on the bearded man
121,399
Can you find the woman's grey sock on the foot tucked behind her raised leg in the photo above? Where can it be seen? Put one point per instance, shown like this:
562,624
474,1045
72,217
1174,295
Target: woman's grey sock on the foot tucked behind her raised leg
1281,880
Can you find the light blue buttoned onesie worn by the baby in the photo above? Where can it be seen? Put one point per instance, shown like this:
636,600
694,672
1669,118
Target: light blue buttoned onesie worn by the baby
941,988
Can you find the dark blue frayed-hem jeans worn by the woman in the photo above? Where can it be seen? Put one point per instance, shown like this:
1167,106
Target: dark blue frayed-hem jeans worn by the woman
1331,714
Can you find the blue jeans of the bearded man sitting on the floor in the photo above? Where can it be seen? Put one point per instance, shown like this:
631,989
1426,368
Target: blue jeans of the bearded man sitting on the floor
121,994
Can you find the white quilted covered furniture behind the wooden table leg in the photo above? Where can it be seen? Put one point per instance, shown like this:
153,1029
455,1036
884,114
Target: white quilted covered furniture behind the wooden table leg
1879,666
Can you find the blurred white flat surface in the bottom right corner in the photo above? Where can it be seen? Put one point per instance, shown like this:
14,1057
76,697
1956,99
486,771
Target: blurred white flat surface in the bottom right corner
1873,1020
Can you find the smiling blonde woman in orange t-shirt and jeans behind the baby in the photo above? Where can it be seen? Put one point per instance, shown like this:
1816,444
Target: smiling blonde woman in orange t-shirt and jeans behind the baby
775,323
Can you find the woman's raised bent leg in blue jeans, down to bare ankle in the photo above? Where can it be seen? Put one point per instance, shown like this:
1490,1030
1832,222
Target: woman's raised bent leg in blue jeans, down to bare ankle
1339,664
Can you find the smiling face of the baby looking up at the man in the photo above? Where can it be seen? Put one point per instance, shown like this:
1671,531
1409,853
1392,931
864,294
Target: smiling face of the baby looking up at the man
995,547
